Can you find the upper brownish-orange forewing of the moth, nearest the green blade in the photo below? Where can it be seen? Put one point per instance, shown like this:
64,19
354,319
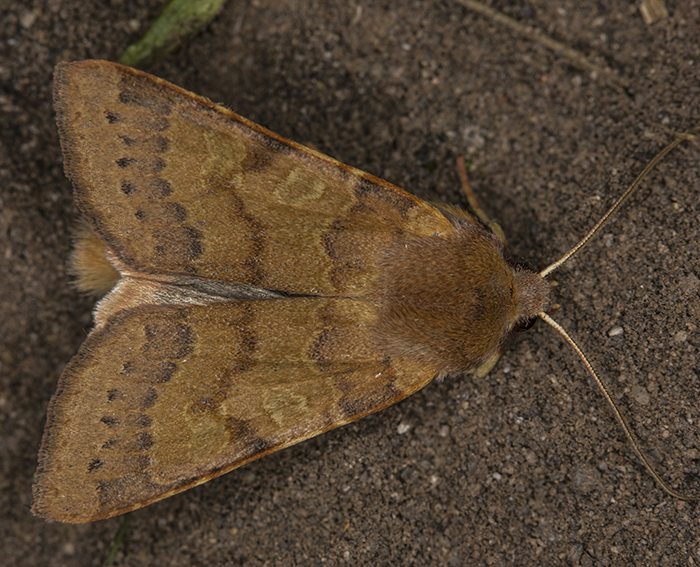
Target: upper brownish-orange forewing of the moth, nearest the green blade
176,184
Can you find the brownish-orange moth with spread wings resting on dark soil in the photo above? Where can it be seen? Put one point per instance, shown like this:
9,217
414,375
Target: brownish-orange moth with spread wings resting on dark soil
256,293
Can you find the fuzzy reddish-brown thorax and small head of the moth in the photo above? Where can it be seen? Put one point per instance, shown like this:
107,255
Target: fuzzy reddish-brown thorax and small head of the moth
450,300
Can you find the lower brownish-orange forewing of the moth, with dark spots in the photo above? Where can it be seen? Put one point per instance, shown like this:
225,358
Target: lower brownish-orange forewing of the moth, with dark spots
165,398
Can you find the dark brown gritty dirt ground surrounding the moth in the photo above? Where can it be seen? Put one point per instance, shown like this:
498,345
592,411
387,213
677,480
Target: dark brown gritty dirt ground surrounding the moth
524,466
